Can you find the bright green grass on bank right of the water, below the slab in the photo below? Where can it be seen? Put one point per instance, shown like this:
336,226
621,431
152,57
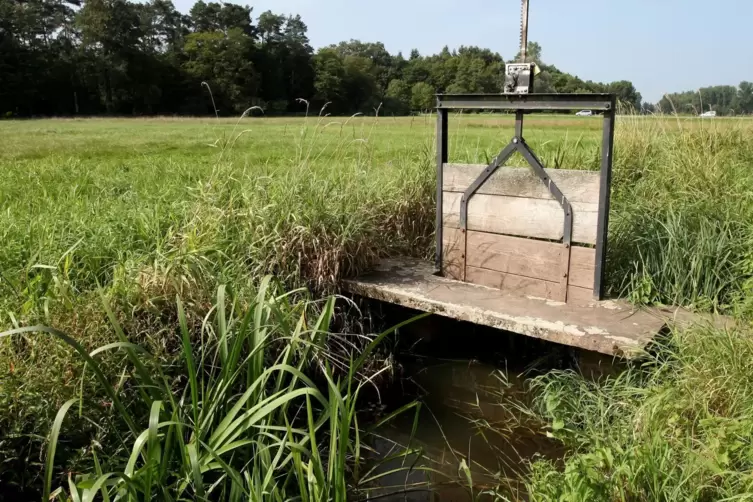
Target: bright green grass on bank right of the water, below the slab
677,427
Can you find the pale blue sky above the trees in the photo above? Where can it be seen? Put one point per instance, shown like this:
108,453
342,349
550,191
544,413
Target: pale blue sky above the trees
660,45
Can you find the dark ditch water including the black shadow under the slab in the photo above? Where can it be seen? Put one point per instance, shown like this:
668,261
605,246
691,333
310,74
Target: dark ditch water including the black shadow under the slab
473,435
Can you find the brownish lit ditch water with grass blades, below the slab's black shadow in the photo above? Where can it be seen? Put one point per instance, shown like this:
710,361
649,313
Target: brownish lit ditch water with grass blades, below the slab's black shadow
469,429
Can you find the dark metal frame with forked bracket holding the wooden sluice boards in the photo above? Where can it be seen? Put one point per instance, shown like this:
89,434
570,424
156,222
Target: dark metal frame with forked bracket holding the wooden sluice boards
522,103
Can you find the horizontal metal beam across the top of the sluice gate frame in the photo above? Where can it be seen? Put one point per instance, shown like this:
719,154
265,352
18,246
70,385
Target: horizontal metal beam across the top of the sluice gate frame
596,102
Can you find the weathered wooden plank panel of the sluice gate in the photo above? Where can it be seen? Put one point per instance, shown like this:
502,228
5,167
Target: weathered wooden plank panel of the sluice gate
512,221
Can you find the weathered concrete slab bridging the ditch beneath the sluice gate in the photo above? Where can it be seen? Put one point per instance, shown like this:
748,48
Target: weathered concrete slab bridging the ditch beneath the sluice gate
610,327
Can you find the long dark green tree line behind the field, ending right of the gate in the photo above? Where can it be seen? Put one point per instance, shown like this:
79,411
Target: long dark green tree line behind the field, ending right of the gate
89,57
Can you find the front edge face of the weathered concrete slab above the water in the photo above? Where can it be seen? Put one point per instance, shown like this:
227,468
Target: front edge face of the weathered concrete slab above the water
529,326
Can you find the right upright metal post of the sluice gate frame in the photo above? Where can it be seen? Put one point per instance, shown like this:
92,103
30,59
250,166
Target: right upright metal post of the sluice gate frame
602,225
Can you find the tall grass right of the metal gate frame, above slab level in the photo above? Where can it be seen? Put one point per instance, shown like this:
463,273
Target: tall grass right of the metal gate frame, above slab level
680,229
